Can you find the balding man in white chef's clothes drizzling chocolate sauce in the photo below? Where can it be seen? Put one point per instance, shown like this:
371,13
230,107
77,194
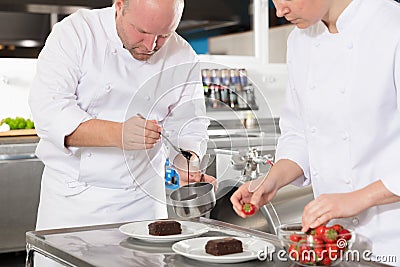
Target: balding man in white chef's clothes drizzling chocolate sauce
97,71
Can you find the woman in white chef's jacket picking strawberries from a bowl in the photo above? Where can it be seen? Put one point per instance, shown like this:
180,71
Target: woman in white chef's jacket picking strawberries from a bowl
341,122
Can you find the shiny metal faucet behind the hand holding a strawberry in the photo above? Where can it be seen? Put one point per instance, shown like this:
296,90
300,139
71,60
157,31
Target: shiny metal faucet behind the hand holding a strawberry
249,164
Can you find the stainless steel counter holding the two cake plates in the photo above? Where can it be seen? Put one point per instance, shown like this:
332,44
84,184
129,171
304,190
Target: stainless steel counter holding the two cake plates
104,245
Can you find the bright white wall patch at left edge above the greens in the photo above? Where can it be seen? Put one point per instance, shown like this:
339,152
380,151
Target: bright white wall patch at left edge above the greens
16,76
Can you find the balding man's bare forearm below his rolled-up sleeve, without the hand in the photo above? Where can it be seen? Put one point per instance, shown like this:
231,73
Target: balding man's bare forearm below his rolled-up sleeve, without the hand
96,132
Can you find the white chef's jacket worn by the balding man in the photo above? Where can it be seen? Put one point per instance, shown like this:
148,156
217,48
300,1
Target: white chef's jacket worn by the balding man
84,72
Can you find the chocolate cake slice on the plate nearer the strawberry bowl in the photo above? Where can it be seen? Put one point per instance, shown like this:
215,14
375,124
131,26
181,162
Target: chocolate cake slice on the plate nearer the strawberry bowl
224,246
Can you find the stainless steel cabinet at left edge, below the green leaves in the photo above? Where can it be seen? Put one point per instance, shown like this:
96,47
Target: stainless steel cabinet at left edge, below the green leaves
20,176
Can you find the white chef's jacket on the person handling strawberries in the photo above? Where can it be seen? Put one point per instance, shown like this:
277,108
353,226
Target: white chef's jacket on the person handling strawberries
341,121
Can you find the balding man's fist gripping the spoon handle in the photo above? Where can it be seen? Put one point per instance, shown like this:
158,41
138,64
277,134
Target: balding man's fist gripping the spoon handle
139,134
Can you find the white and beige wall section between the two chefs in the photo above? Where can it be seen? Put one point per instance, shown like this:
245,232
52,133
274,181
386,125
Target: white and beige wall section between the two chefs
270,79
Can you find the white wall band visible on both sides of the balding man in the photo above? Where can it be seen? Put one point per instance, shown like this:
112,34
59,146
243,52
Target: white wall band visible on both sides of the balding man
16,76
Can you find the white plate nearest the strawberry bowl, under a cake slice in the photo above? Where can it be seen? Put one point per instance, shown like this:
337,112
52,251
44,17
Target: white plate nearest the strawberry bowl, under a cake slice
195,249
